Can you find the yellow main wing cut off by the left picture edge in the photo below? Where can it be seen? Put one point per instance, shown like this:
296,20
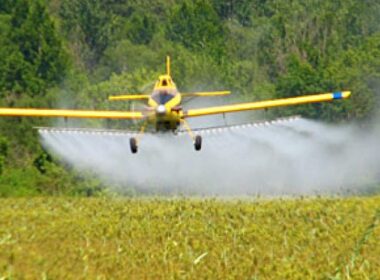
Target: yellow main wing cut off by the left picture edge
24,112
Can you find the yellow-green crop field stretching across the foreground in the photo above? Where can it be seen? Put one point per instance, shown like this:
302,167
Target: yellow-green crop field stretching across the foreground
119,238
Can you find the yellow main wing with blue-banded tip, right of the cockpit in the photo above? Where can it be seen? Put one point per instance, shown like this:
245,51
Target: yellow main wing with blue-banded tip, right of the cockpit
267,104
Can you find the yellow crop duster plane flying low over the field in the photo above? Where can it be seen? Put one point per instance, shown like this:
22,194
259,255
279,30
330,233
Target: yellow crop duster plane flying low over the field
165,111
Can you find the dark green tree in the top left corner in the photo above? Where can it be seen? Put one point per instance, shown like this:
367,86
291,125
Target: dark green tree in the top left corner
33,53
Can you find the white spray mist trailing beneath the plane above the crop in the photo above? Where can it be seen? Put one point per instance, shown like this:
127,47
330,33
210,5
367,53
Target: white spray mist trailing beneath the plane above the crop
299,157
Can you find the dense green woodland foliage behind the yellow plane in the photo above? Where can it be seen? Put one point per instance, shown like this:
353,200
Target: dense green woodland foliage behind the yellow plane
74,53
